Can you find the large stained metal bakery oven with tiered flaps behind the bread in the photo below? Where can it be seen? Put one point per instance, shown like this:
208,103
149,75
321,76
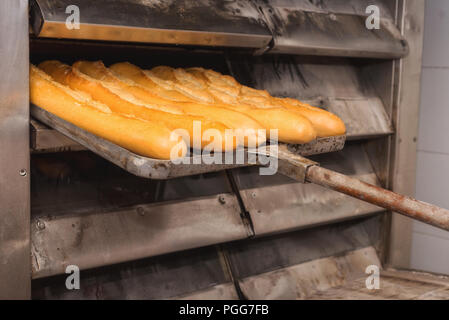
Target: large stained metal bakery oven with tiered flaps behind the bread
211,232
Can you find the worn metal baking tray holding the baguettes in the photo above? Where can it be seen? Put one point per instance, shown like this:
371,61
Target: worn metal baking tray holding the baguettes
162,169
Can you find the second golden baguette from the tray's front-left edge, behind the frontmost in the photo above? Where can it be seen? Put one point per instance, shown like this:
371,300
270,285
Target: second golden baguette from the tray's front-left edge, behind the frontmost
122,102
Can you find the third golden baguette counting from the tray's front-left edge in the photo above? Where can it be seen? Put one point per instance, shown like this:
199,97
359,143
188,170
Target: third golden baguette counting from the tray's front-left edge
223,114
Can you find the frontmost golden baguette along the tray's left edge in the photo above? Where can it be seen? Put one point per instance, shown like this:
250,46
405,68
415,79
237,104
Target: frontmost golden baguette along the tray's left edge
148,139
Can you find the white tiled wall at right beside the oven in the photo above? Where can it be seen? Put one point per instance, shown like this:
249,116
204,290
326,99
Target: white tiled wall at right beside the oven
430,246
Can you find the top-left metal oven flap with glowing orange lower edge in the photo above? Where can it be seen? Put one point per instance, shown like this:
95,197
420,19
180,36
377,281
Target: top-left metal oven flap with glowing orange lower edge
206,23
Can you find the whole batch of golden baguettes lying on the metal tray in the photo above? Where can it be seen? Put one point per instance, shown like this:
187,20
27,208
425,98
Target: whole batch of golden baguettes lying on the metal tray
165,99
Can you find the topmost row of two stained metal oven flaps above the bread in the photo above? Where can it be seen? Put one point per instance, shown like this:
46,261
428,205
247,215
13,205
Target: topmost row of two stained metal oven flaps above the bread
301,27
